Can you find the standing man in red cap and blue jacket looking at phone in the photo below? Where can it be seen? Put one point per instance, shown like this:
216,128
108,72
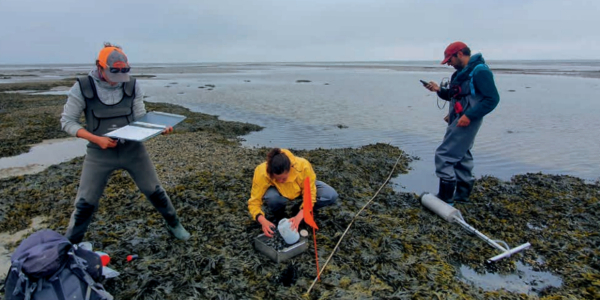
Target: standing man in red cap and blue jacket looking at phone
472,94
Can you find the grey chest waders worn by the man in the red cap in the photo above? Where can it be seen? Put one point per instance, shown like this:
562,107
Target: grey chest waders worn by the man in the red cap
453,158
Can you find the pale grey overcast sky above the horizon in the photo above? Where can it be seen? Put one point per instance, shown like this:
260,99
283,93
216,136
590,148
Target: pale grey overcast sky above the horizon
73,31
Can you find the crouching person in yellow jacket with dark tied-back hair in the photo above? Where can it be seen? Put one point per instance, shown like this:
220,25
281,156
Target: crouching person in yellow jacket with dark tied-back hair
281,179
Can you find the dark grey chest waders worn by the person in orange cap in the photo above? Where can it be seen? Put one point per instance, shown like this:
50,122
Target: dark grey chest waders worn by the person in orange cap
127,155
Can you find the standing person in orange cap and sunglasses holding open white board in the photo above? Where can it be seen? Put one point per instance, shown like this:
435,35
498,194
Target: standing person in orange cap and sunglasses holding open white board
110,99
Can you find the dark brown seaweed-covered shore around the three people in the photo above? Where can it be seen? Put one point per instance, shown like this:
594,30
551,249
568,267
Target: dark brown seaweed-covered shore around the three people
396,249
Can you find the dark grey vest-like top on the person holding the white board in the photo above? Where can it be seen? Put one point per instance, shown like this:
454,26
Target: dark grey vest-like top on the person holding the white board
101,118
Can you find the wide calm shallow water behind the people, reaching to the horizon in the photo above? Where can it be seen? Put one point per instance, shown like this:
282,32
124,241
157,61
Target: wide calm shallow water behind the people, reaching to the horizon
542,124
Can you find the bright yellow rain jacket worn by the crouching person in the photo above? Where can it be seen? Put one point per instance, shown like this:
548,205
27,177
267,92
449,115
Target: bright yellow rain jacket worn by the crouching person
293,188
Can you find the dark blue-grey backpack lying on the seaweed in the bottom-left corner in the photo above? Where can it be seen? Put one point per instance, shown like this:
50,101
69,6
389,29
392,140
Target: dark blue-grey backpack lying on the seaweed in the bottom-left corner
47,266
